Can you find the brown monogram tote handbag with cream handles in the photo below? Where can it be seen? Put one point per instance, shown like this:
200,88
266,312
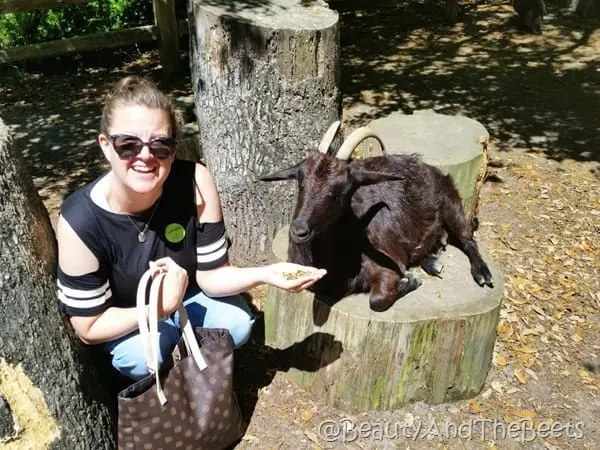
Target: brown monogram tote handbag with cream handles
191,405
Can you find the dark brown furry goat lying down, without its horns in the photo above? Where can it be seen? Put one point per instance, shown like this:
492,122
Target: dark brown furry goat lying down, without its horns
367,221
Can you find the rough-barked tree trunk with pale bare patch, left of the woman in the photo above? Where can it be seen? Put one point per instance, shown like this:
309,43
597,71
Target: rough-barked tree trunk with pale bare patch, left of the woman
46,375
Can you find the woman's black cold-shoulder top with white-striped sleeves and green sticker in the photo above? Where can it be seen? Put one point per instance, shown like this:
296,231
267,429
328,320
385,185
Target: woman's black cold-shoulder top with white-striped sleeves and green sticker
173,231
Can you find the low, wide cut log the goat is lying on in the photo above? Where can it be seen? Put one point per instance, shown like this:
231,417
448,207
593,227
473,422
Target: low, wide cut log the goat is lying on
434,345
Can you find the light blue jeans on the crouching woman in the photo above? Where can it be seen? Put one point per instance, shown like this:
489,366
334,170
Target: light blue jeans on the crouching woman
231,313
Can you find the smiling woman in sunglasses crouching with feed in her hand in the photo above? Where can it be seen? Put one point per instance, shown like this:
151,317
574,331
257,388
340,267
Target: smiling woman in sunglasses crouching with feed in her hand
151,210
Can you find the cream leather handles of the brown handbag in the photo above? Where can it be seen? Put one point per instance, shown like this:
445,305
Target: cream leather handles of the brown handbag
149,335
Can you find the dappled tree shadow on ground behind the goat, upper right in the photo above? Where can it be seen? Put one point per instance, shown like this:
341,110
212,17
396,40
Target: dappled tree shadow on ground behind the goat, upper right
531,92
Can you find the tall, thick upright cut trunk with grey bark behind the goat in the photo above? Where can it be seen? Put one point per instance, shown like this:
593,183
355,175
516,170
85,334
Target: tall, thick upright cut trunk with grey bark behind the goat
266,83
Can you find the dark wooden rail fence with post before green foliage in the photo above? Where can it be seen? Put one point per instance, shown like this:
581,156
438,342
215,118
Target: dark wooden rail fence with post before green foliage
166,30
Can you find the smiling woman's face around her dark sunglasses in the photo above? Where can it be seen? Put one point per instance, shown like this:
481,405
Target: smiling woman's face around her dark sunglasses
143,173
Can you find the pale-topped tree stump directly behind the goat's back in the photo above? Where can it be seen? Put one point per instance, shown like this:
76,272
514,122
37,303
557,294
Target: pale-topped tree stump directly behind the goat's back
455,144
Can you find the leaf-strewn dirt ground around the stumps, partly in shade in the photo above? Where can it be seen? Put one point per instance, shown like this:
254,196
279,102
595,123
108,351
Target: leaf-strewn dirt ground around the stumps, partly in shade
539,98
